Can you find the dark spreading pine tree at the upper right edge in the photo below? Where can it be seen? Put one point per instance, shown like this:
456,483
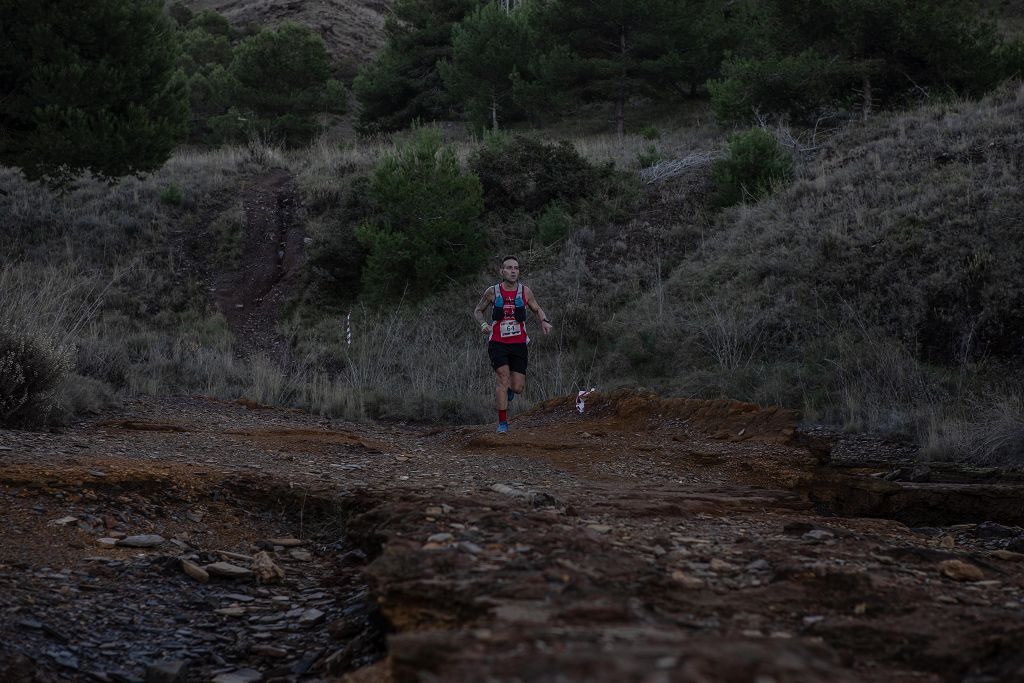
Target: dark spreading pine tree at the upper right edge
880,51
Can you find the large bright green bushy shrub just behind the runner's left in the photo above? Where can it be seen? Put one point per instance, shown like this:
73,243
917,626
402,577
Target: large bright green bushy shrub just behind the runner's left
428,224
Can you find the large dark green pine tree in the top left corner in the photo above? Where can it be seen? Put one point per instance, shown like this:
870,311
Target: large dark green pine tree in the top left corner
89,88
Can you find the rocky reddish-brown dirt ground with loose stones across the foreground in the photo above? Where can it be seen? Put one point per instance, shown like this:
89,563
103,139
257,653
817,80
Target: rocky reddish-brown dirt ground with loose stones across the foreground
644,541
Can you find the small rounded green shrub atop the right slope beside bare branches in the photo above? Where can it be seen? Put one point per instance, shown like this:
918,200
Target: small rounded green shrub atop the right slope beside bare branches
756,164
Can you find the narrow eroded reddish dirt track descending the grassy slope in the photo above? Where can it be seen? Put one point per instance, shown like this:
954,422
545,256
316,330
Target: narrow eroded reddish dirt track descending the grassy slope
273,252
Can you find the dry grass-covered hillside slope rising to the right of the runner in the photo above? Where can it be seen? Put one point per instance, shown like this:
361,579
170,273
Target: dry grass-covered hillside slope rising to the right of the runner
892,261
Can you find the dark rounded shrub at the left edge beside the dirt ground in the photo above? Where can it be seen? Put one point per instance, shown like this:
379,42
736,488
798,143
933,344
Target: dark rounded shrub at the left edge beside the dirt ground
32,368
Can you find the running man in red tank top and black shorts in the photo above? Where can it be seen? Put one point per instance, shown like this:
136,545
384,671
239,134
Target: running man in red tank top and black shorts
507,336
